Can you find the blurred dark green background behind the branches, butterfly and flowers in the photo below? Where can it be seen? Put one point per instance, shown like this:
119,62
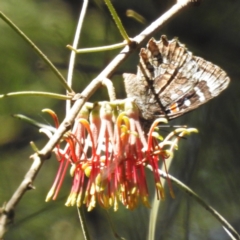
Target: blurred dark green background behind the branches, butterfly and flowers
208,162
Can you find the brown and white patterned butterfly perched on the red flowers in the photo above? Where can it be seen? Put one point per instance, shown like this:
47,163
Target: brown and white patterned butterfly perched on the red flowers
171,81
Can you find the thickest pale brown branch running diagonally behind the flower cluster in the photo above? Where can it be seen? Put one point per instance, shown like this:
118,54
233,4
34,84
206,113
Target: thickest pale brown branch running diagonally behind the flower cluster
70,118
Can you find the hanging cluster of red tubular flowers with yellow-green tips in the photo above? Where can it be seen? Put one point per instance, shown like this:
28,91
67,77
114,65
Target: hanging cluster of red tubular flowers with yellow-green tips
107,151
